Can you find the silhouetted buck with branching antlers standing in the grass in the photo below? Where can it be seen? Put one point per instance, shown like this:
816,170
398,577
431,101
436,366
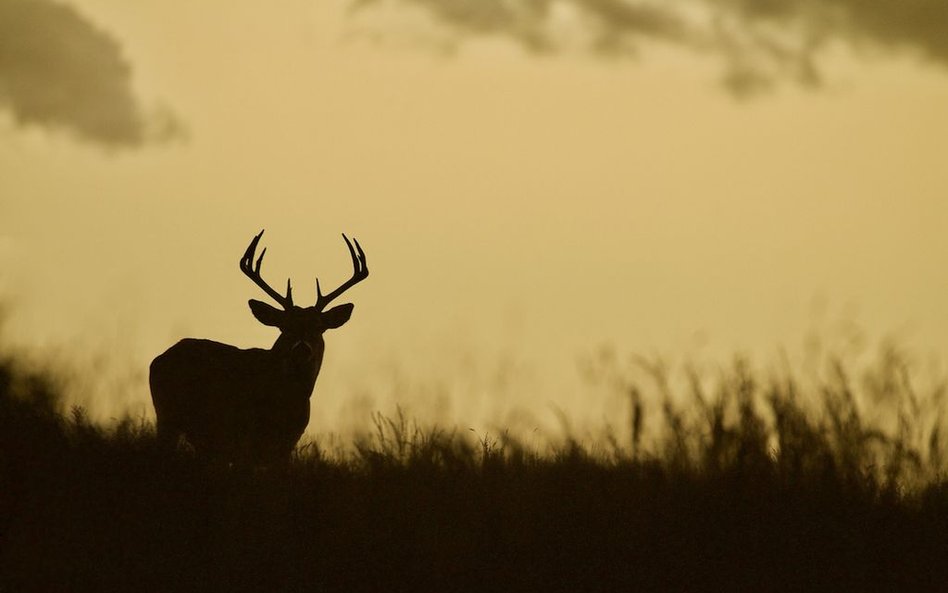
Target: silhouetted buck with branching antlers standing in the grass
249,405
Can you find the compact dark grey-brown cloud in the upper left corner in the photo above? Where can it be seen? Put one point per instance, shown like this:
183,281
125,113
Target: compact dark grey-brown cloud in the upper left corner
59,71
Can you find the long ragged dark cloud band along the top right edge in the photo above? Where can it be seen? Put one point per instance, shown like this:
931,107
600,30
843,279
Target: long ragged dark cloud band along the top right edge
759,42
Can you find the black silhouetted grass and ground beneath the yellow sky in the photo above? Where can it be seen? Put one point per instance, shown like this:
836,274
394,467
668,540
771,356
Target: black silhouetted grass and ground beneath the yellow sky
745,484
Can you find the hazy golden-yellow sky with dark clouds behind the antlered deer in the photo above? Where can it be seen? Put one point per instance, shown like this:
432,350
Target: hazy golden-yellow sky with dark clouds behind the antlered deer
532,181
